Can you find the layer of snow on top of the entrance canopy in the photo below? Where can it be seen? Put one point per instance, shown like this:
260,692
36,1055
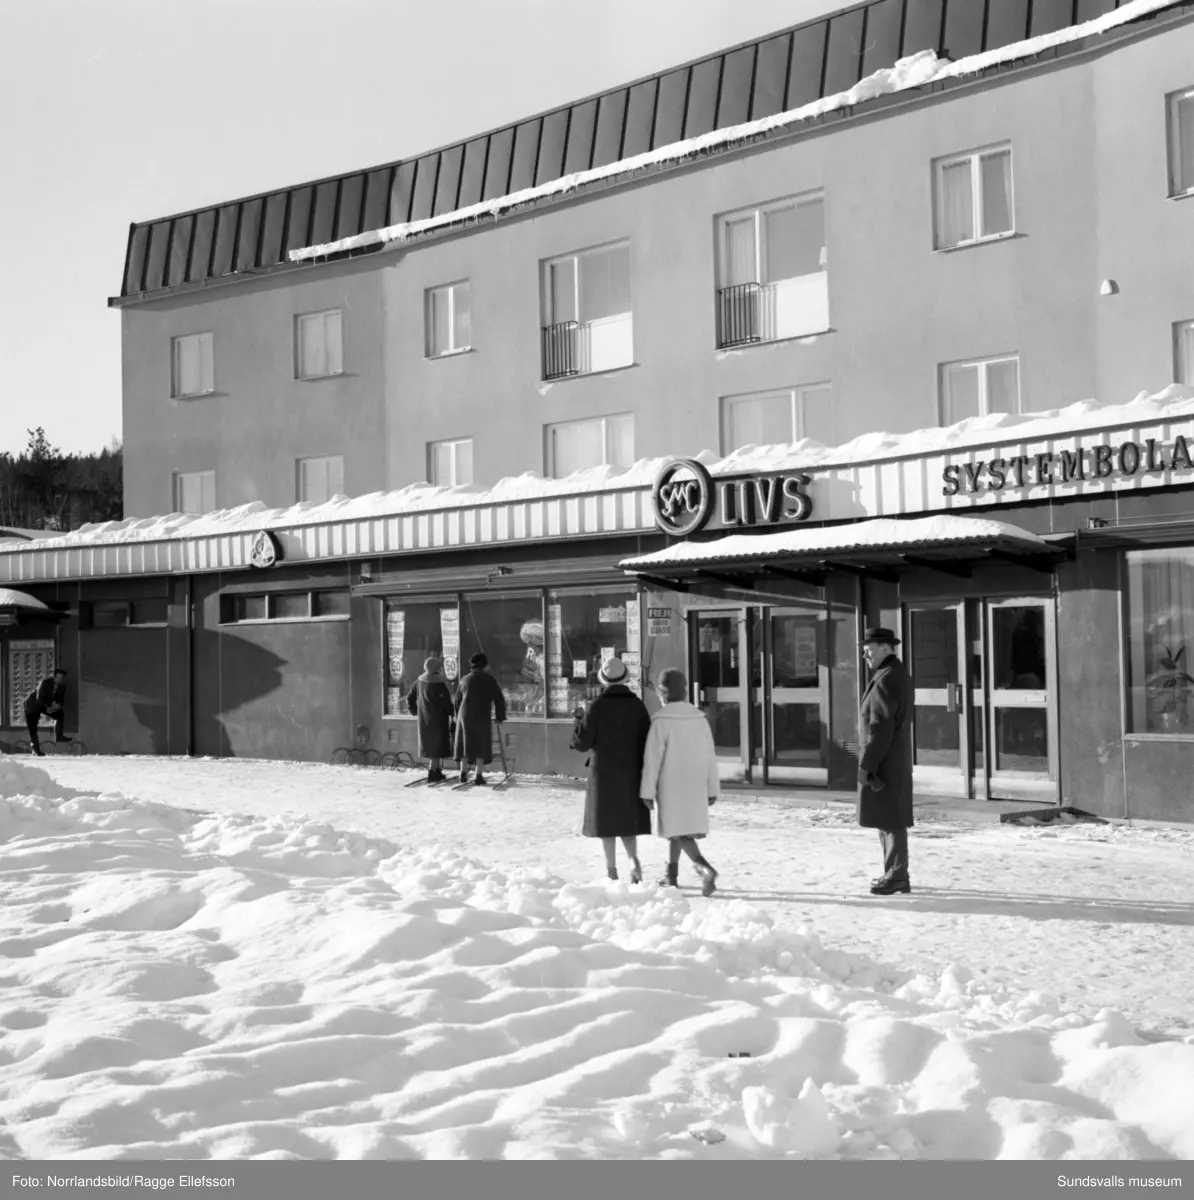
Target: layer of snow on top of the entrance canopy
881,535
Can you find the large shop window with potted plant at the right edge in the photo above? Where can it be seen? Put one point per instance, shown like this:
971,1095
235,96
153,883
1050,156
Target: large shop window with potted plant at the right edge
1161,641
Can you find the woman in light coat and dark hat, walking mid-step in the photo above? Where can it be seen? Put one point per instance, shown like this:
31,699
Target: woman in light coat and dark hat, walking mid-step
681,778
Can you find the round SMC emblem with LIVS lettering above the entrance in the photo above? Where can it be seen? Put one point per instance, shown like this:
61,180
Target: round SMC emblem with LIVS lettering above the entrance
687,499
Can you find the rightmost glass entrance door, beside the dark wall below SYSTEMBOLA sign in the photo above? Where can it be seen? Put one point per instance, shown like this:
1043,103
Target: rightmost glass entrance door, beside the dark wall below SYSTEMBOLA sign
1022,725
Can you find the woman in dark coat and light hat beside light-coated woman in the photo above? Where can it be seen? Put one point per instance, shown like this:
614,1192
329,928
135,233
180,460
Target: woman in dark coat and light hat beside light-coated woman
615,733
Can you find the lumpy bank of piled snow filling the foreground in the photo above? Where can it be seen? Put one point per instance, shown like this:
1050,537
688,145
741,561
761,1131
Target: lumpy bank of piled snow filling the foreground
213,987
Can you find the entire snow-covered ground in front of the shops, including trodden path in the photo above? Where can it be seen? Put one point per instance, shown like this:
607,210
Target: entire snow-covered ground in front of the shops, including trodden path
200,962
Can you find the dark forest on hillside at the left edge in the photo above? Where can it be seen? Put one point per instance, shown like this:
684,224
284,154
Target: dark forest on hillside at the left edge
44,489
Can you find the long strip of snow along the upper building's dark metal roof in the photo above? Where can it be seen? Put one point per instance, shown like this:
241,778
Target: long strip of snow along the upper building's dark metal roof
916,71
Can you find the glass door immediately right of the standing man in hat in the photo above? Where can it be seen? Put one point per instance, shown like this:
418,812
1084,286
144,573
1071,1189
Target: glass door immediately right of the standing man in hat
940,742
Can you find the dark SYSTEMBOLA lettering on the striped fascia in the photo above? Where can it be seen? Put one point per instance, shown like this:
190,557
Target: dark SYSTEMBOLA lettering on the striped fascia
1067,466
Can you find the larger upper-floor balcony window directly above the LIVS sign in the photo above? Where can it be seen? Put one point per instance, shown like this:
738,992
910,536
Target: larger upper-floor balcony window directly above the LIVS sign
772,272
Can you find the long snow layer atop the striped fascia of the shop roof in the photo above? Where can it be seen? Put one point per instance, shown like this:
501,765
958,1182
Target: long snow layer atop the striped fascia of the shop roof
1088,416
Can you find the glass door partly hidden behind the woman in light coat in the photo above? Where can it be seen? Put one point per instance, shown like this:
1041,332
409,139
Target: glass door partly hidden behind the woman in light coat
719,685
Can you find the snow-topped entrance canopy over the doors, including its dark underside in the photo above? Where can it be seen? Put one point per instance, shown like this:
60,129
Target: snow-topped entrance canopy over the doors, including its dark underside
880,549
